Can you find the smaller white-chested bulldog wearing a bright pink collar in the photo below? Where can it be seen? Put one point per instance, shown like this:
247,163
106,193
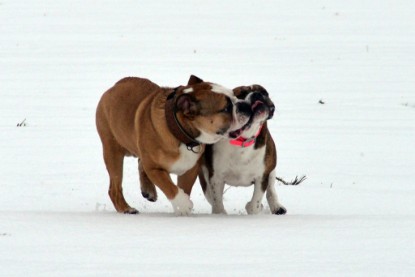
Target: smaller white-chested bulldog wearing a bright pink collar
247,157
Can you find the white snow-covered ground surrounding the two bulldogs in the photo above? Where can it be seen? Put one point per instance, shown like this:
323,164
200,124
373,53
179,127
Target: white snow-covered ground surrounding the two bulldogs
355,214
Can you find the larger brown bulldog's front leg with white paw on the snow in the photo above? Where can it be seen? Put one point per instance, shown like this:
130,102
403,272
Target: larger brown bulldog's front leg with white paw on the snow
180,201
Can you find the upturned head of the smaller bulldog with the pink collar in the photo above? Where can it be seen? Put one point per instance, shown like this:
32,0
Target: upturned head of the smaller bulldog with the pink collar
261,106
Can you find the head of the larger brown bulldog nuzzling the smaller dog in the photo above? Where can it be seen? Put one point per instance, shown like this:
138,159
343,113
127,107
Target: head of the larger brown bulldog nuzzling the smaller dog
212,109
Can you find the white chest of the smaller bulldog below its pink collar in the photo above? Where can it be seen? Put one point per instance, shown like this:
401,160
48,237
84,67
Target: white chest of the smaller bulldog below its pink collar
238,166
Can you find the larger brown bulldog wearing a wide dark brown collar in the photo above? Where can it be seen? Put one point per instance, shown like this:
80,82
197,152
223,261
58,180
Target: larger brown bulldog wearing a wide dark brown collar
166,129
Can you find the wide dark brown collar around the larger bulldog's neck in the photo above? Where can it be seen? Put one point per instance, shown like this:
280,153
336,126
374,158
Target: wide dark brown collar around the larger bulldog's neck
177,128
